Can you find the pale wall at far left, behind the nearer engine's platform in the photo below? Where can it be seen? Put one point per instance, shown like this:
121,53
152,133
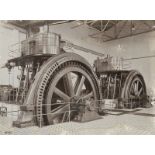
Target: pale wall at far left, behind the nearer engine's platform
8,37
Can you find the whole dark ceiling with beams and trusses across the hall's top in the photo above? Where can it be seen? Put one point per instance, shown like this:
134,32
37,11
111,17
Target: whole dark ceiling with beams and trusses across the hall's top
103,30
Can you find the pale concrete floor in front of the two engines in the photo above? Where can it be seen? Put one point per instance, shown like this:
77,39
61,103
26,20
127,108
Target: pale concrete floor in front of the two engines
138,122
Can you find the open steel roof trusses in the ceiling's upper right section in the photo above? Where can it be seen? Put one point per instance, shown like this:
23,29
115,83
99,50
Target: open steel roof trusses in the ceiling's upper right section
107,30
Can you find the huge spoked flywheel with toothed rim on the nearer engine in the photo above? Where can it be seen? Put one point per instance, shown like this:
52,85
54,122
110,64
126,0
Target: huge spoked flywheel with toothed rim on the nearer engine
68,80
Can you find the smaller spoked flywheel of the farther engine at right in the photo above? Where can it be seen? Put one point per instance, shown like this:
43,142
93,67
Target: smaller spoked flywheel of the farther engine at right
134,90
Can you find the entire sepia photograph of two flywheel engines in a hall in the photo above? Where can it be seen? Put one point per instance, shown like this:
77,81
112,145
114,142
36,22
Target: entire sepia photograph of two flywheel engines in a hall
77,77
